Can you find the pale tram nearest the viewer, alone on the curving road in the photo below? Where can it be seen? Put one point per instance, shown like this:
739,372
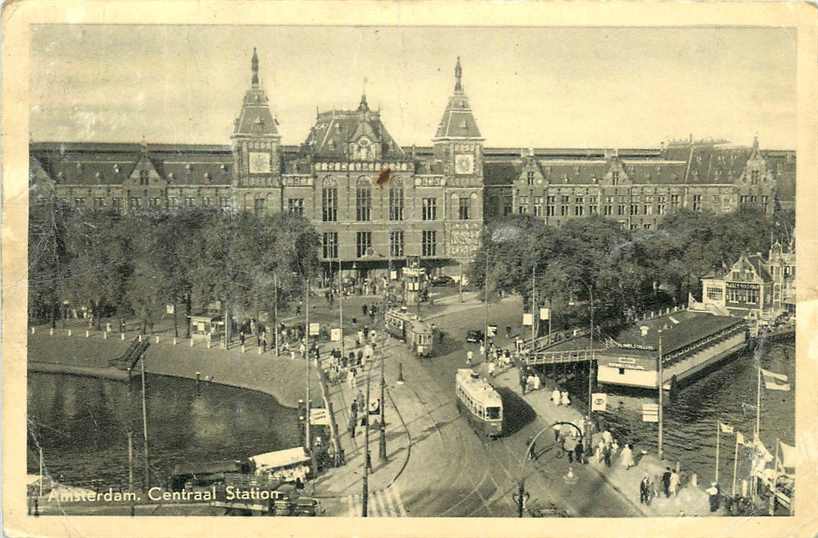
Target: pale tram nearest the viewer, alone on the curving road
480,402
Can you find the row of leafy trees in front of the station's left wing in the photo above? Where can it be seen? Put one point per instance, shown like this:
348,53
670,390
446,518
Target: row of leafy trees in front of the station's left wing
122,265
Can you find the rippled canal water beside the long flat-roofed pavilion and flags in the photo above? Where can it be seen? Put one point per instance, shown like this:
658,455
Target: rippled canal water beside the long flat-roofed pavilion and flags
725,394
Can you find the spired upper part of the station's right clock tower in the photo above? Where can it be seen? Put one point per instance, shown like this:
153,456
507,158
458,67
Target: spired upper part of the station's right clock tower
458,145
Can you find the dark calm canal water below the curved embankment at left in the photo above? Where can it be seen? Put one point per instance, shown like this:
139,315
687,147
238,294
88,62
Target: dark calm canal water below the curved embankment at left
81,425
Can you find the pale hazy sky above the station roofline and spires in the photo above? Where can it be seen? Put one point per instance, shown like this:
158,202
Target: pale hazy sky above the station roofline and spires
528,87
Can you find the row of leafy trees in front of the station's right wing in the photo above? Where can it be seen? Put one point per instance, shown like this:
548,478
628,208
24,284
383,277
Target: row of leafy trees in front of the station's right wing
627,272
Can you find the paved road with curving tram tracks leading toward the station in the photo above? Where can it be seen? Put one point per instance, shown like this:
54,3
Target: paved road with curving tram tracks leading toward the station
473,476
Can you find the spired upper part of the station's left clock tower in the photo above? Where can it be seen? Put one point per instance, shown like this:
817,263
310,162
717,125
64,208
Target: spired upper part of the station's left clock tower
255,139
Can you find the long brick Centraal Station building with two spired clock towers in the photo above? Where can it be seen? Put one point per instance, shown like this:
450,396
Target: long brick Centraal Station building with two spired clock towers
432,202
